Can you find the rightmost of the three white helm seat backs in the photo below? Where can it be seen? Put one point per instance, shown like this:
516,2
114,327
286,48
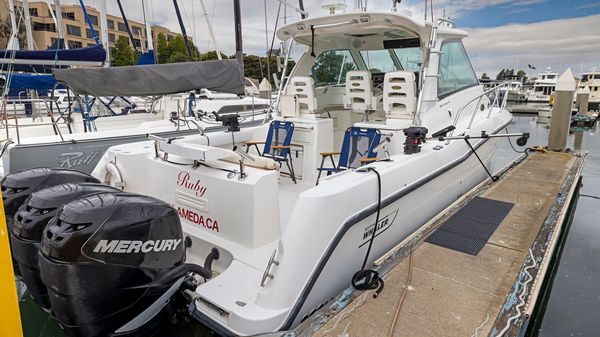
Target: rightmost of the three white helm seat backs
399,95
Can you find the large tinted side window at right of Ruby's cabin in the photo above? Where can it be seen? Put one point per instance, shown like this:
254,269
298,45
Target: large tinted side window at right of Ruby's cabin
456,72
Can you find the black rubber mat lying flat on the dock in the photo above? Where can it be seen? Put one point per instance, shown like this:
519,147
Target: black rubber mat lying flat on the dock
468,230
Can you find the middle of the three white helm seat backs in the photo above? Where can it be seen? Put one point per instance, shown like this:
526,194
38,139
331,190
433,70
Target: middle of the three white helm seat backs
359,91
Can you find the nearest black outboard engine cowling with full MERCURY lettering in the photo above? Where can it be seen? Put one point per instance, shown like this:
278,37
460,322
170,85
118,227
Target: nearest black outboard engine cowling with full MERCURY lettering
111,261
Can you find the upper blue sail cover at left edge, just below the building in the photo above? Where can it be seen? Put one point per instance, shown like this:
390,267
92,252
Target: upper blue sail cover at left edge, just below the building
33,60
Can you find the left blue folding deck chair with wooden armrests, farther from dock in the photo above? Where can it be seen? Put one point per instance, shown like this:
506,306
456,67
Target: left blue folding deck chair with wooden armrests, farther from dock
277,145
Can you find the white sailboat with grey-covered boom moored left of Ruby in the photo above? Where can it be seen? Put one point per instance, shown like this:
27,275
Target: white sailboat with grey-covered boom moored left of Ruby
78,139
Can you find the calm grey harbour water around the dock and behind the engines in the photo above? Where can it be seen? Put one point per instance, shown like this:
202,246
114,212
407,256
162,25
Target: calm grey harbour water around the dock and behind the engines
574,301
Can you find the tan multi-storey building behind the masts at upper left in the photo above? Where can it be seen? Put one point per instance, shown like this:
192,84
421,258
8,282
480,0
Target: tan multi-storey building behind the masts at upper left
76,31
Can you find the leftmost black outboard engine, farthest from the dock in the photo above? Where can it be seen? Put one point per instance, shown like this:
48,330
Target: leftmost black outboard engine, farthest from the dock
18,186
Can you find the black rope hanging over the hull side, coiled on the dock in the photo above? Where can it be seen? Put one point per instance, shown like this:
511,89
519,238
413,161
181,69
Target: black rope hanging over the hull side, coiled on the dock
369,279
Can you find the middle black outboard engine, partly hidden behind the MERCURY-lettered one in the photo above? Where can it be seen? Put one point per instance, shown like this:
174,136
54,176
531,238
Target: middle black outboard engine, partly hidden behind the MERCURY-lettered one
29,224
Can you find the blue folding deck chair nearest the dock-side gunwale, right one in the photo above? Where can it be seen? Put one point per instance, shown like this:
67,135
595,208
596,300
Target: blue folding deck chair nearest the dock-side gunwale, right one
357,150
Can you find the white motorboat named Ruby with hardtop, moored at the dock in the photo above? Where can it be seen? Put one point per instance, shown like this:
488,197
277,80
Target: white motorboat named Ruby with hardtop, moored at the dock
287,247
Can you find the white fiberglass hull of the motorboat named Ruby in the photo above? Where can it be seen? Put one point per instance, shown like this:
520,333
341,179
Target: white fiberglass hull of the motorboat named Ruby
324,242
